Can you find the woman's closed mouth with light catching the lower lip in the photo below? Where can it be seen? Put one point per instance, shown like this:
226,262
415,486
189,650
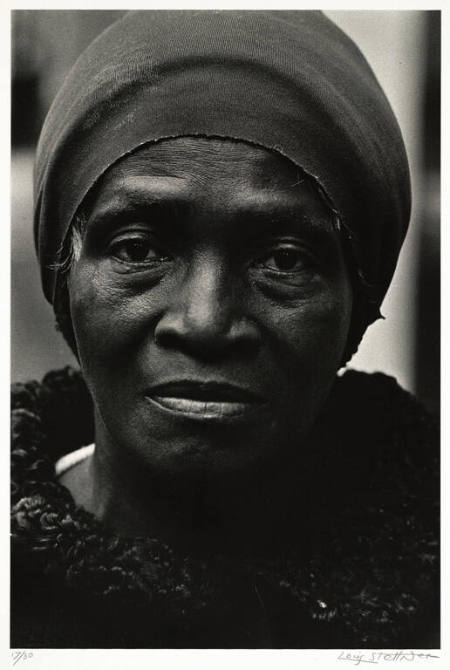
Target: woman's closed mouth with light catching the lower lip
205,400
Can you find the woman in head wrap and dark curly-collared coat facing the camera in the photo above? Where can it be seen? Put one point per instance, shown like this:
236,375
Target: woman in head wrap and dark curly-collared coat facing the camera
221,198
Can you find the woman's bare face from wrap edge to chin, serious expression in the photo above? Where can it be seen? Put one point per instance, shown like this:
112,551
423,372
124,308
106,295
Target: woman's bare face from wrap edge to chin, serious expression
211,306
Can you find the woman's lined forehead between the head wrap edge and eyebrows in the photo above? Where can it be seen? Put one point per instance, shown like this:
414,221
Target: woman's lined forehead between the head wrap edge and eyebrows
224,175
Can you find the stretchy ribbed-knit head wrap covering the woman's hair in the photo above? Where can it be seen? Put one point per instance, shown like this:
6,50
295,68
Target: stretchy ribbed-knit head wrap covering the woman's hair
289,81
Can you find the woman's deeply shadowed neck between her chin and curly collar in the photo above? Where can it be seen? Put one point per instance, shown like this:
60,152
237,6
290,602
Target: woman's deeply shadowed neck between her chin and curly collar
235,513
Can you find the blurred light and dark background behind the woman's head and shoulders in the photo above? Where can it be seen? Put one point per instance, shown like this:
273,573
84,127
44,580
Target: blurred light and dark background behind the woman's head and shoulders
403,48
